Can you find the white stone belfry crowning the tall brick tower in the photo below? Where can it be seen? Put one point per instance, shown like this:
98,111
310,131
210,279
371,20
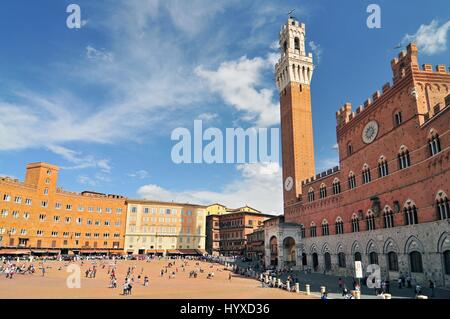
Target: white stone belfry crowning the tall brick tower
294,65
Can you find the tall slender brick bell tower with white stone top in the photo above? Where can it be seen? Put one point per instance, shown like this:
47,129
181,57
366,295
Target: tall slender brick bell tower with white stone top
294,72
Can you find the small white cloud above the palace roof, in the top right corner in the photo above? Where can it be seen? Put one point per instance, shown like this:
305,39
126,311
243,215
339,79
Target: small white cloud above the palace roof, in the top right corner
430,38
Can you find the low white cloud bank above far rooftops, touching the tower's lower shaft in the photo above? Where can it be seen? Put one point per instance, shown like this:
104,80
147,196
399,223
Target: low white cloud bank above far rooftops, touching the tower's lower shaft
260,187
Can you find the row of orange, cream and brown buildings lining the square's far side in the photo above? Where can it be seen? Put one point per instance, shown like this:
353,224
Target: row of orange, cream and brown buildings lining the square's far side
37,217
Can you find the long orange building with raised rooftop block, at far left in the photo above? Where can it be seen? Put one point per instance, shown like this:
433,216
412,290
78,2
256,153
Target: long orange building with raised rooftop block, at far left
38,217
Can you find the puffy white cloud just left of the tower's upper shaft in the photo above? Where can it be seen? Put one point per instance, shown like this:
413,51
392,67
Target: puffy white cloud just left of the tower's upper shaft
238,83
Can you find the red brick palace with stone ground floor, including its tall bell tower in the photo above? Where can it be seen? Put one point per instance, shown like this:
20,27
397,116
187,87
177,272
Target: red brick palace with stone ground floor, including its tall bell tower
387,202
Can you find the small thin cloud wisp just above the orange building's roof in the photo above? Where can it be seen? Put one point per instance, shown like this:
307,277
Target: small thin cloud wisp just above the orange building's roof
80,161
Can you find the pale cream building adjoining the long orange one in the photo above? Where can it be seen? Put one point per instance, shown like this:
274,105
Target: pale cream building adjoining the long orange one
155,227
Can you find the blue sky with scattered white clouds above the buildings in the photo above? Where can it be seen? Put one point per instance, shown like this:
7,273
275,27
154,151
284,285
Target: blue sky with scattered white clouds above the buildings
101,102
